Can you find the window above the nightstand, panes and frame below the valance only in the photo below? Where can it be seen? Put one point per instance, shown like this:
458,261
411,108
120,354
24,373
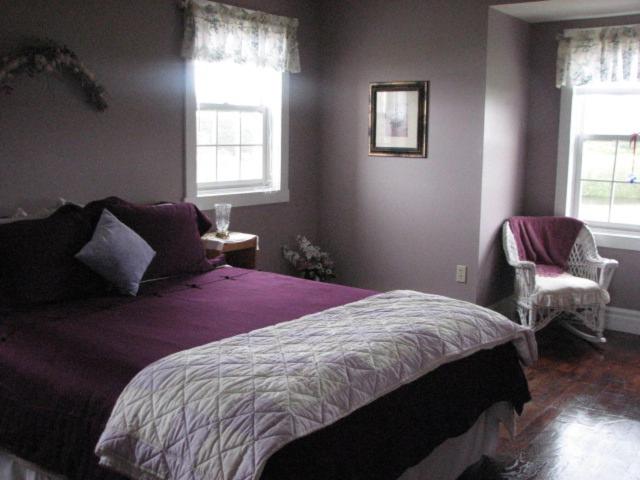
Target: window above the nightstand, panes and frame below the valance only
236,134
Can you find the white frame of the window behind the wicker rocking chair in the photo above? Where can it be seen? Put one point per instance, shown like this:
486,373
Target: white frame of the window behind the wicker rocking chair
612,235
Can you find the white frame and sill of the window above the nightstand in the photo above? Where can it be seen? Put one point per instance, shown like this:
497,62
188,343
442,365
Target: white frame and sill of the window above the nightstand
238,194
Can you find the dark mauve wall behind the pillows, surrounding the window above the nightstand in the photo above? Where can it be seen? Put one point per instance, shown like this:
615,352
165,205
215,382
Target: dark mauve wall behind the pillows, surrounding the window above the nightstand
53,145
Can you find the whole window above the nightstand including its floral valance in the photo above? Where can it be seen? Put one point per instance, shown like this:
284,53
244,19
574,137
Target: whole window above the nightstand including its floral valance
236,103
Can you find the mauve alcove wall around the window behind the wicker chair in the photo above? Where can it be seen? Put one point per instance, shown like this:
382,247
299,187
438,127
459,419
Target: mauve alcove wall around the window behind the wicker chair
542,140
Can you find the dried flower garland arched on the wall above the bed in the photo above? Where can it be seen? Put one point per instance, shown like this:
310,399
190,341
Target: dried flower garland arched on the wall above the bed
48,56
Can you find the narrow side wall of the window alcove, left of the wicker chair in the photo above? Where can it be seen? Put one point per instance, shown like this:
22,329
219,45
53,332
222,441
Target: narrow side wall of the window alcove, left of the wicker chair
504,155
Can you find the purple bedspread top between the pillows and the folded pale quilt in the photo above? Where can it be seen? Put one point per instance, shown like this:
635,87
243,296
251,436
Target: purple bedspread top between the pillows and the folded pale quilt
62,367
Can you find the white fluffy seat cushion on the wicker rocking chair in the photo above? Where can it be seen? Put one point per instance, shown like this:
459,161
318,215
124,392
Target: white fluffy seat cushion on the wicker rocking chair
566,290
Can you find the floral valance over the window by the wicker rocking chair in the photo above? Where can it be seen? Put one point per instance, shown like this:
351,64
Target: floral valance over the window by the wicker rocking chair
598,55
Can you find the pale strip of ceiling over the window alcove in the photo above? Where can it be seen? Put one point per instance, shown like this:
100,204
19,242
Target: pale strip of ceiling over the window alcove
556,10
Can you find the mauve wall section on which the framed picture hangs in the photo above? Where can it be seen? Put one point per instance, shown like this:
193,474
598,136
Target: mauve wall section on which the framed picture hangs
404,222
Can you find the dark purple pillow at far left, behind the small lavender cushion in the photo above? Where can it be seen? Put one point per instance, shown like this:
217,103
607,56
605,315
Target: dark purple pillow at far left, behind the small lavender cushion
37,259
